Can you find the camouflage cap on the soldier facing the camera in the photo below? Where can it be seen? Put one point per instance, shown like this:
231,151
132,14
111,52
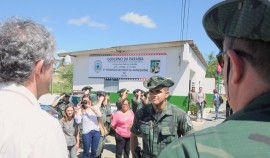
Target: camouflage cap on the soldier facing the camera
157,81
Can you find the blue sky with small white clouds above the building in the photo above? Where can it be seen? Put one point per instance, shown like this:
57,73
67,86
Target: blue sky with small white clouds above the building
94,24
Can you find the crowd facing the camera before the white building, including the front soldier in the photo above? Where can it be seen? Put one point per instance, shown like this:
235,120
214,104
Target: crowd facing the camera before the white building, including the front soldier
148,113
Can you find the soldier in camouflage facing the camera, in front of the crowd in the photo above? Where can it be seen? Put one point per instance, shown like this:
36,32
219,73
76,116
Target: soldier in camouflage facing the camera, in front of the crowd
160,122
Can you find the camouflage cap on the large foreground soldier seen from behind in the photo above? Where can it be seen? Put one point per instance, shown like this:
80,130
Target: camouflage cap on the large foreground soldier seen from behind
247,19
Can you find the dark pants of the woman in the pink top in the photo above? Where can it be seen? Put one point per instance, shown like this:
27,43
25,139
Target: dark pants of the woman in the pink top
122,144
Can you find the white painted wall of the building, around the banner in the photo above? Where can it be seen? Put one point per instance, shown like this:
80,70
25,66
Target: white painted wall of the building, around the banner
180,74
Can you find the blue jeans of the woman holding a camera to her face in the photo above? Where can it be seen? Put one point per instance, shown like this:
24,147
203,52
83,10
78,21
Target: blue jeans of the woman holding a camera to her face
90,139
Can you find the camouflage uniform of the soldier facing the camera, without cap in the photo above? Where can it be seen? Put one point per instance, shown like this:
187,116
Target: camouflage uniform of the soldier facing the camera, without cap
160,129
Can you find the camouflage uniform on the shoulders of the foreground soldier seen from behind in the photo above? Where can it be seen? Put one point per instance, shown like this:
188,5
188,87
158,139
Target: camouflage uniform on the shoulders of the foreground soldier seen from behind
244,134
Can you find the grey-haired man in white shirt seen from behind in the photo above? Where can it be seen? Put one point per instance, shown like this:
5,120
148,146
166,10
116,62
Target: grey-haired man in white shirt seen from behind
26,58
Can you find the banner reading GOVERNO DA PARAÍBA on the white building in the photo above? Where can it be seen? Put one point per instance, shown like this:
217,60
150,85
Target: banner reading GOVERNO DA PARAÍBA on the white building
127,66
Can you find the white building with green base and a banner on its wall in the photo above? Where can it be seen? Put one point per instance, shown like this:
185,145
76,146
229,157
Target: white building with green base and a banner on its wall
111,69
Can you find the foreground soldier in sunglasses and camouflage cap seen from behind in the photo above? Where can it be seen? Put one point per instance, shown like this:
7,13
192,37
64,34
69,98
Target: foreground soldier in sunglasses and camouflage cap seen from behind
241,29
